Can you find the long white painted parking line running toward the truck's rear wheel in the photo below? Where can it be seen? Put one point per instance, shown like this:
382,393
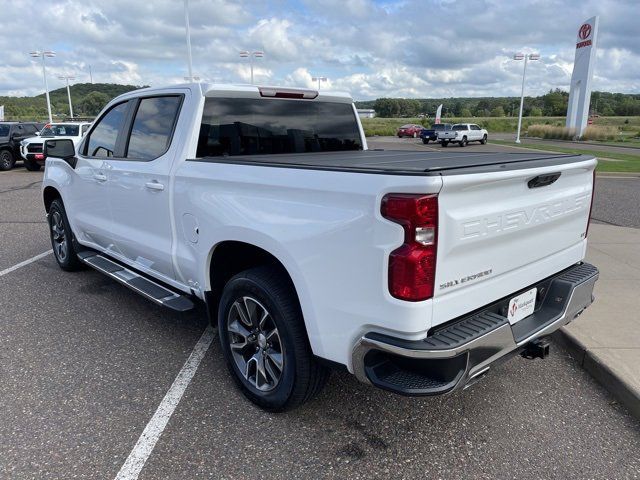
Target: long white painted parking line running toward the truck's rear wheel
147,441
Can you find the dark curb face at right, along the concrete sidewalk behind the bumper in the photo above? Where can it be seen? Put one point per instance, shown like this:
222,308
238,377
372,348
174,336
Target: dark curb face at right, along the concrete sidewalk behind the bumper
621,390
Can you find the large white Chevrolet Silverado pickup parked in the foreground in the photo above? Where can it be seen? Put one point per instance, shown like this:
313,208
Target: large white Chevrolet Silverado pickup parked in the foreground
415,271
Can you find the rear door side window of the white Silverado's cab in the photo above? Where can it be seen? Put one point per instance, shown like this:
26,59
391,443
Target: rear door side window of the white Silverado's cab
153,127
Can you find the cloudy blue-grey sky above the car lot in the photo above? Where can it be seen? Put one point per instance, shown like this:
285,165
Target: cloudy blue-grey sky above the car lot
371,48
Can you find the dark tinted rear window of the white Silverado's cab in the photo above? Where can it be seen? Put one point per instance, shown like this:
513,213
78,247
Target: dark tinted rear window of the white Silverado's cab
251,126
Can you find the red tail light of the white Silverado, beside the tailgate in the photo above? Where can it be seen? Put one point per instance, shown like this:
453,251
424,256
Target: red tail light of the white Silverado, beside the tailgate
412,267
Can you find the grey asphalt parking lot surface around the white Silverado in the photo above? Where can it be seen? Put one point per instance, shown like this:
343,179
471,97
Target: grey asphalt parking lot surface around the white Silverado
84,364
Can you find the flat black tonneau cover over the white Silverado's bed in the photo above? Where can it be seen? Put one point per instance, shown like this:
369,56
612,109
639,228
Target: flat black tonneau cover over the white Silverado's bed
400,162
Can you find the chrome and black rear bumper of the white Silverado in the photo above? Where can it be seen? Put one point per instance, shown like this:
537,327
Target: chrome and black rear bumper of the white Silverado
456,354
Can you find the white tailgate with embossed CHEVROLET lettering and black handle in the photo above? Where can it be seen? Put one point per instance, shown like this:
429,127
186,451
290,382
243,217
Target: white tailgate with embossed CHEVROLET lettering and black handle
502,231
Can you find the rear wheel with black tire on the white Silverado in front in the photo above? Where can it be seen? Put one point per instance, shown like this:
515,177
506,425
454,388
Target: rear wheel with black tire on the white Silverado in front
301,376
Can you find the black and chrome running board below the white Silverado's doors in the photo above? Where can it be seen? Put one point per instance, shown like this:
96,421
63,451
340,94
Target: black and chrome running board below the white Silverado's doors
149,289
